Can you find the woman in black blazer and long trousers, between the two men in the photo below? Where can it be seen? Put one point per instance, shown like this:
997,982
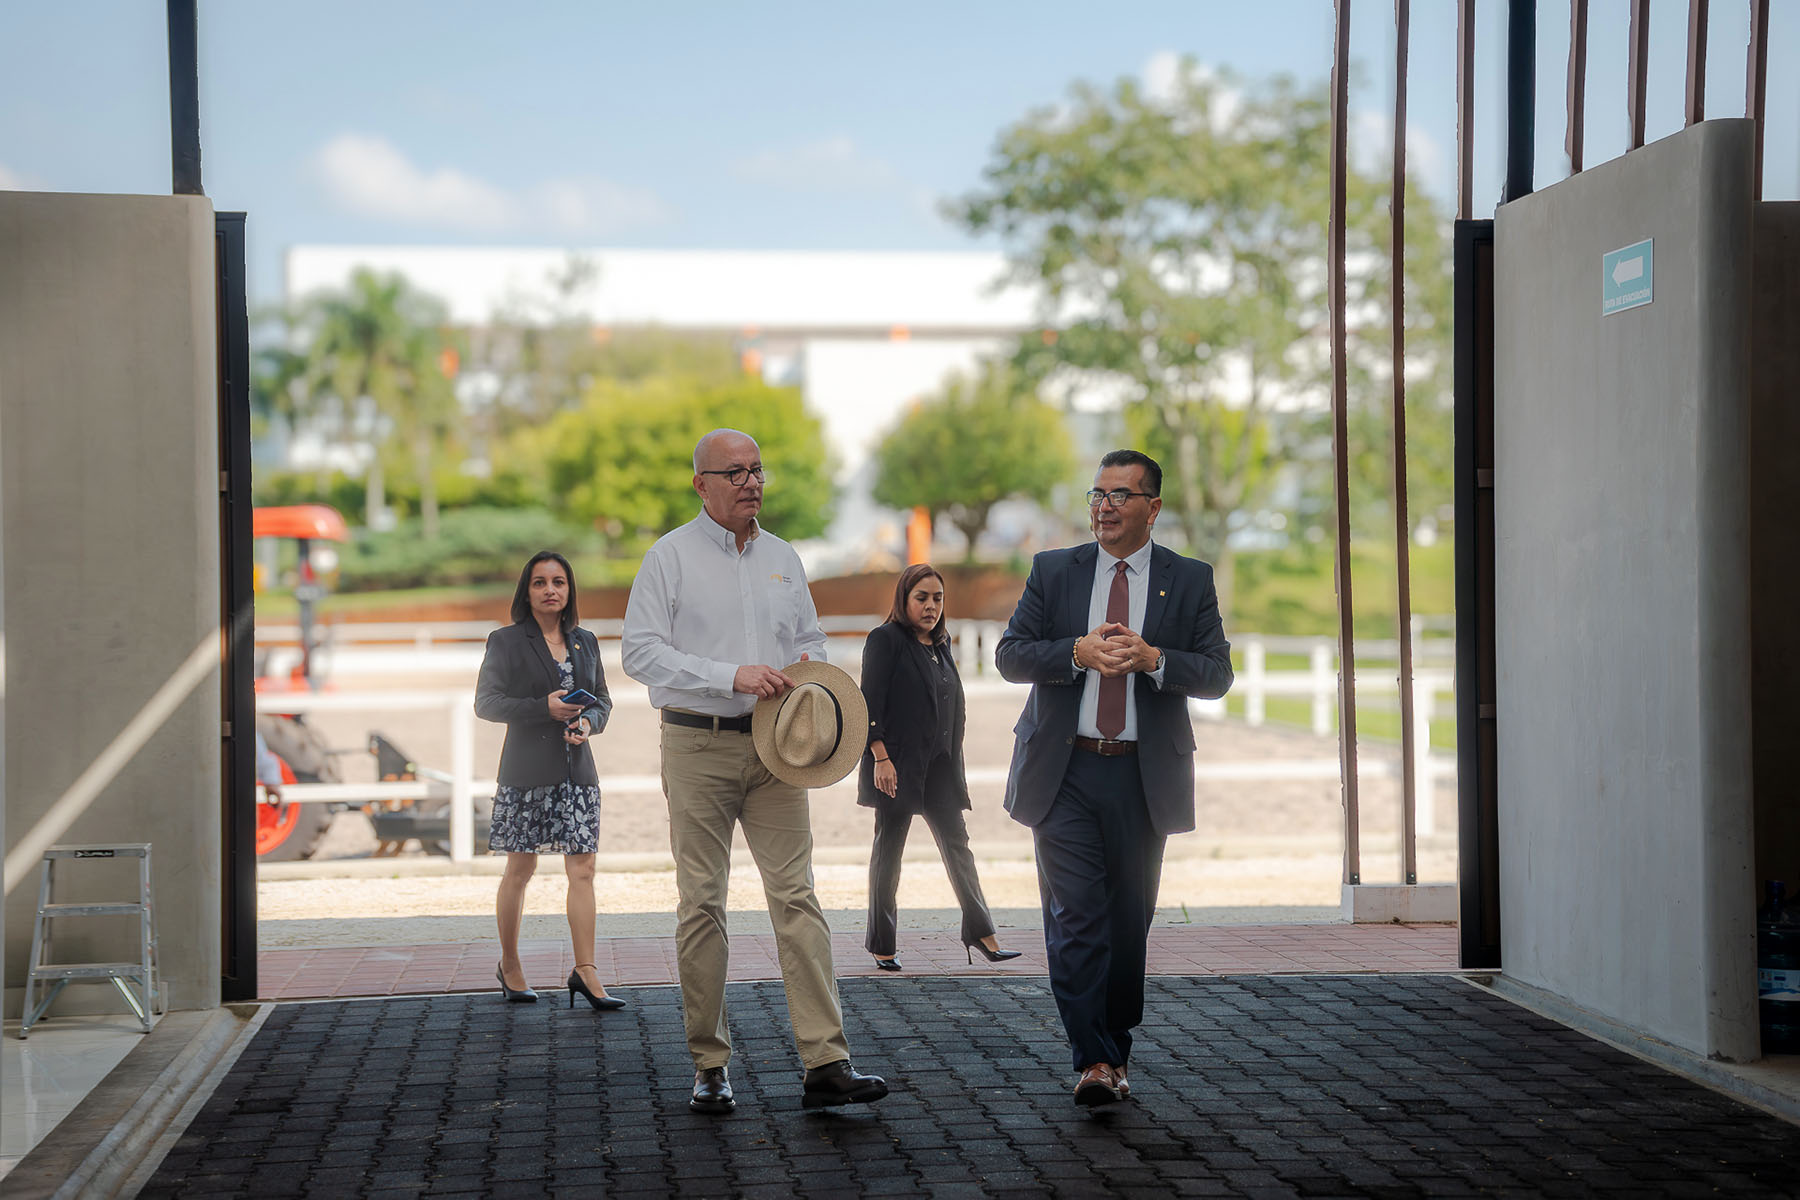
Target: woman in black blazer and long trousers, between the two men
915,762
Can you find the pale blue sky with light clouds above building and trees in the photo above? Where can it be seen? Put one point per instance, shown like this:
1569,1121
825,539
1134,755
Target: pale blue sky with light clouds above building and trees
778,127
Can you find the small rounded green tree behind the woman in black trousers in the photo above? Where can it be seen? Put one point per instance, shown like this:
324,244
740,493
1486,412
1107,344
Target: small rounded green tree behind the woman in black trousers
980,442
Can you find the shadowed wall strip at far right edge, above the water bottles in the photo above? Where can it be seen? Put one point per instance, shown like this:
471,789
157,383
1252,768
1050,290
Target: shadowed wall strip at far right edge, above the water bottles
1776,532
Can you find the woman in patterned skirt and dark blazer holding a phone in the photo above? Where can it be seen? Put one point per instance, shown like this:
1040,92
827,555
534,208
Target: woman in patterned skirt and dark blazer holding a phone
548,796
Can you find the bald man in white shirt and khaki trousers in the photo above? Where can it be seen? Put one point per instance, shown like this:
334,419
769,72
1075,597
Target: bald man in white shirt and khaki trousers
715,607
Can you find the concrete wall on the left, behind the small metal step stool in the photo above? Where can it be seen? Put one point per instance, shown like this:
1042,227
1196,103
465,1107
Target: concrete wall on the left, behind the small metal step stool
112,586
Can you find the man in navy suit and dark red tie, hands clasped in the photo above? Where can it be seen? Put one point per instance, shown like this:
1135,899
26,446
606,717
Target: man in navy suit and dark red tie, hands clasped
1113,638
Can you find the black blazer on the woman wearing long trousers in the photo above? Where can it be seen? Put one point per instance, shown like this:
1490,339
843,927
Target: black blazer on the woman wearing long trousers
903,715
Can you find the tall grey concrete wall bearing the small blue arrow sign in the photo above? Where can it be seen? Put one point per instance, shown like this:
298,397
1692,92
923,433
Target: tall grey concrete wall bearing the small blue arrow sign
1623,598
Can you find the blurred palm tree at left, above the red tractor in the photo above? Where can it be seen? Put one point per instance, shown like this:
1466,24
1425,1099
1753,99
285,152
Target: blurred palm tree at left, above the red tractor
377,352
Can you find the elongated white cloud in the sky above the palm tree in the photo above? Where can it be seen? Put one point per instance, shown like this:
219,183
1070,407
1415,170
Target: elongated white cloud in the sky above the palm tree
370,177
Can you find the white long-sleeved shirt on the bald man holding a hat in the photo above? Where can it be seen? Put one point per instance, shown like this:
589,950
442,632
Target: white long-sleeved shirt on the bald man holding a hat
701,609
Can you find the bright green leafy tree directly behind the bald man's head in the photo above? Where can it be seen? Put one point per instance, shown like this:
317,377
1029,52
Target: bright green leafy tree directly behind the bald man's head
624,461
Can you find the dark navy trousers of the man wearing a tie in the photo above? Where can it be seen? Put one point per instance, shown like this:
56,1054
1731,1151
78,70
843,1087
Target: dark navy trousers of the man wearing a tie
1099,864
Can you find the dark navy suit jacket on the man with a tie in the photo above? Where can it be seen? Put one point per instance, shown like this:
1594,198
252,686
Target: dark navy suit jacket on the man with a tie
1180,618
